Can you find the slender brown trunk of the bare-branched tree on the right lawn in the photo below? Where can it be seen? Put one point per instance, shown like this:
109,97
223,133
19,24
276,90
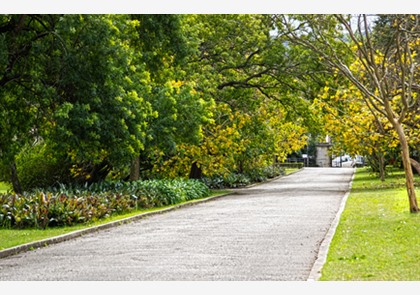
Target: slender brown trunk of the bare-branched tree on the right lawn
409,177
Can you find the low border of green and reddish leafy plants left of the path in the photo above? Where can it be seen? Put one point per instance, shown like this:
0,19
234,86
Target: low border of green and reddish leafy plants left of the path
81,204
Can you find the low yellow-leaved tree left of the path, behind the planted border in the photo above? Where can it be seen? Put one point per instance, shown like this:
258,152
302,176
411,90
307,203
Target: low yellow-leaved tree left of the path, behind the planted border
235,141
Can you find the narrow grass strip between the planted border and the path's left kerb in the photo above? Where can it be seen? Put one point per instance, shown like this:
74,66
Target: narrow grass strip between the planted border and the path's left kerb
14,237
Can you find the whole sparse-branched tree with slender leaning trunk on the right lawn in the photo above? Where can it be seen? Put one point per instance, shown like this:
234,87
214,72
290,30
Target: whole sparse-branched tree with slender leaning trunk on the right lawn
384,72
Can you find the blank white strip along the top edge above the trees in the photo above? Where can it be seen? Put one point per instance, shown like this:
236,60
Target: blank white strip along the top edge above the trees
209,7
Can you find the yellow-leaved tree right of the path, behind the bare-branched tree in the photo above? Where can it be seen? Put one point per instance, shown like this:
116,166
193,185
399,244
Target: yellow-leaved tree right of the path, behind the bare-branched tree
353,127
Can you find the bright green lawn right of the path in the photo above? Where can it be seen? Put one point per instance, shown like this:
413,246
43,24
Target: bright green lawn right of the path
377,238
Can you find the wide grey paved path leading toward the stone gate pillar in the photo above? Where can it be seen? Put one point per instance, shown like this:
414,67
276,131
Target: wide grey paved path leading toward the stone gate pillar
269,232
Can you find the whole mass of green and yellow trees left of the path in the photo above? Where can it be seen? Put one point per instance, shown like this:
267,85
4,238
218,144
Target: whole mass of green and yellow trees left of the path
103,90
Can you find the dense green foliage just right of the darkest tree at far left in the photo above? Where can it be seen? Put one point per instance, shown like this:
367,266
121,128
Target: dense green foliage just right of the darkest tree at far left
102,115
